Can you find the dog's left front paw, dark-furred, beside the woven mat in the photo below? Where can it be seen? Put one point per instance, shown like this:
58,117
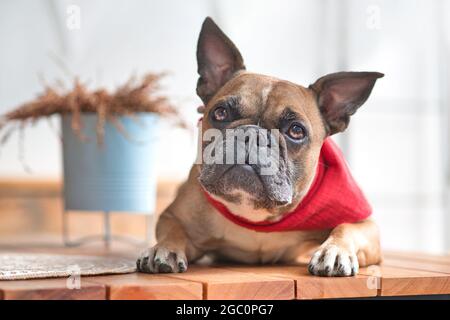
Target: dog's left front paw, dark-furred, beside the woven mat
160,259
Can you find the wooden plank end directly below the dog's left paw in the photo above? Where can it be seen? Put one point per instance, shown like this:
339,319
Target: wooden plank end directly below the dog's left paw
149,287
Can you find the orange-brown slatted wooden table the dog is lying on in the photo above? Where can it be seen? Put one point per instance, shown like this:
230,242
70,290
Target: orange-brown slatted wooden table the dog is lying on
401,274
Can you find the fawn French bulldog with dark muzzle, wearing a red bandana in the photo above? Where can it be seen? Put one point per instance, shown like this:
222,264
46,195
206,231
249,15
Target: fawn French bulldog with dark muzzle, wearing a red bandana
233,212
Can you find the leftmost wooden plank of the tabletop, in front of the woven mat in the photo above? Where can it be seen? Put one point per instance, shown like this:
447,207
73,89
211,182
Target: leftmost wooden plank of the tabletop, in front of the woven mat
50,289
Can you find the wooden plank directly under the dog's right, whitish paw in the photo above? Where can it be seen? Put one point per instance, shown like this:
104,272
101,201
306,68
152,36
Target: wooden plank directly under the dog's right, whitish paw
309,287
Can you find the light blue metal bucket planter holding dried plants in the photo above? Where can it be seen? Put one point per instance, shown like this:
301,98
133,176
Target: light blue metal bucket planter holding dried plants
118,176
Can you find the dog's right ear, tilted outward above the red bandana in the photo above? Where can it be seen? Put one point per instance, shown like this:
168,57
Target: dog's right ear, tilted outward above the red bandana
340,94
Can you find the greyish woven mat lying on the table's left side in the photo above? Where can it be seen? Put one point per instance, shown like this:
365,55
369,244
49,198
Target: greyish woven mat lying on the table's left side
19,266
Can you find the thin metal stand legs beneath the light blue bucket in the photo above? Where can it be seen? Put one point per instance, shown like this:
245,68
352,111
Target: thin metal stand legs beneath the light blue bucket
107,236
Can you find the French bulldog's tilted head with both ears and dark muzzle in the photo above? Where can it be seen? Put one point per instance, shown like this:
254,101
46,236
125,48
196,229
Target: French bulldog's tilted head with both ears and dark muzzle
288,120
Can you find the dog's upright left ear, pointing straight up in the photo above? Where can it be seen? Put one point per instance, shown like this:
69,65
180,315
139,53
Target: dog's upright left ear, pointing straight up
217,59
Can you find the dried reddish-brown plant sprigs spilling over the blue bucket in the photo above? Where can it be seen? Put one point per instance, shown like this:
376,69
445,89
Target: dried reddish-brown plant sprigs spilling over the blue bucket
135,96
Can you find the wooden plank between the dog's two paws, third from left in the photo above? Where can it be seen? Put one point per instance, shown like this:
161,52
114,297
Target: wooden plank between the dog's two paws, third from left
220,283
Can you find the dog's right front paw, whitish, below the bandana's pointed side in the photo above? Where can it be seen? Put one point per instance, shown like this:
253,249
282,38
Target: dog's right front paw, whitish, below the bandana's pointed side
332,260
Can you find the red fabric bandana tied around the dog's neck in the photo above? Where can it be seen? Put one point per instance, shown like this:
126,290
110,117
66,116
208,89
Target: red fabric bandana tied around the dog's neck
334,198
